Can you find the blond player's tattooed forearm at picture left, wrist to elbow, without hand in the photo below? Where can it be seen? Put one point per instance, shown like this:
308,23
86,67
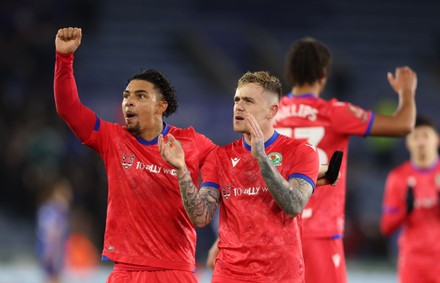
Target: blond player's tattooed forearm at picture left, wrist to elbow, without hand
200,205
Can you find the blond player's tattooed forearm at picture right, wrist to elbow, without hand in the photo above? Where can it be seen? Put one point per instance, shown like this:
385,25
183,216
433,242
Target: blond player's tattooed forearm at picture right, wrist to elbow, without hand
292,196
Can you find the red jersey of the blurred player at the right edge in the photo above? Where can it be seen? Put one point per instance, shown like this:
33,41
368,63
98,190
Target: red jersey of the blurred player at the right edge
419,239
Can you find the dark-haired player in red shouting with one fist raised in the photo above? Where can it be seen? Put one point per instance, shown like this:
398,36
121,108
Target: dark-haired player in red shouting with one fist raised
148,234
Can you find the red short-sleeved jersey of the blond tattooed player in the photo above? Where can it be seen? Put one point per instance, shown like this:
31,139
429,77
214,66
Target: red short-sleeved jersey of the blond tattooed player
258,241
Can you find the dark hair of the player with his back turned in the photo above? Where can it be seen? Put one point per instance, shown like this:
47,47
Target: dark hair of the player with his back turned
306,62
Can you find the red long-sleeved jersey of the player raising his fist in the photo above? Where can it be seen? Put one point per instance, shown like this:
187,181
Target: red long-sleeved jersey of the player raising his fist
146,223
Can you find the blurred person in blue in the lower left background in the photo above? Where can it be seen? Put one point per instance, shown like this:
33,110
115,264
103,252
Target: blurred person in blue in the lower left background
53,229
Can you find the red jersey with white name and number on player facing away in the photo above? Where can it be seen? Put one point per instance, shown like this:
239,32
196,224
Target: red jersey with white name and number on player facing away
327,125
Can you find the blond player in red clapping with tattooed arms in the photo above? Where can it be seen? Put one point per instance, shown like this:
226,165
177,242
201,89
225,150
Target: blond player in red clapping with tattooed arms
262,182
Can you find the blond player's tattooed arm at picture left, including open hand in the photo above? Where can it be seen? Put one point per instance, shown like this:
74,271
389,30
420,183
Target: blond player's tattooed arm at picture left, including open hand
200,205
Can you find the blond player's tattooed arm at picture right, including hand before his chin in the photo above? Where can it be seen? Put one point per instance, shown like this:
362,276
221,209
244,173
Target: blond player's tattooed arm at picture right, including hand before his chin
291,196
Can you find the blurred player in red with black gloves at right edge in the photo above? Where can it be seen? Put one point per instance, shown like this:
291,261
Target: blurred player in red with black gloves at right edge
412,202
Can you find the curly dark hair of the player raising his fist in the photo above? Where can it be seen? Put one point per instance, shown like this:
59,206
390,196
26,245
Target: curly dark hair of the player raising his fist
161,84
